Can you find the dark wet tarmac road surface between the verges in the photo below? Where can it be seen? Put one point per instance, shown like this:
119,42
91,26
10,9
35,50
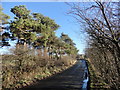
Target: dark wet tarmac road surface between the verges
70,79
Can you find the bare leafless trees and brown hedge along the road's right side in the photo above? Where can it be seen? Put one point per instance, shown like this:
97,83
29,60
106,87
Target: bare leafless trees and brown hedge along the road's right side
101,22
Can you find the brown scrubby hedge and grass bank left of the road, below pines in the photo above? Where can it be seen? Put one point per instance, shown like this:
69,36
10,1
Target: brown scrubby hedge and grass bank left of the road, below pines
23,69
